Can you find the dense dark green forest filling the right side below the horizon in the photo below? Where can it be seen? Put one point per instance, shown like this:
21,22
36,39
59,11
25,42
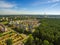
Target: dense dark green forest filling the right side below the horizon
48,33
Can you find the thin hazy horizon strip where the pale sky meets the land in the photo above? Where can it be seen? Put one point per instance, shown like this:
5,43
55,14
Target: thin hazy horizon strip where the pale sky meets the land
30,15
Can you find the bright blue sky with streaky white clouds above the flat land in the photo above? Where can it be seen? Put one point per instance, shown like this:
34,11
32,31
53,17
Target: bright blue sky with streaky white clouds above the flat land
29,7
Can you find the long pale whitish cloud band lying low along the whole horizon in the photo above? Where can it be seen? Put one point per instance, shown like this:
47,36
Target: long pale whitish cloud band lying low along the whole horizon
23,11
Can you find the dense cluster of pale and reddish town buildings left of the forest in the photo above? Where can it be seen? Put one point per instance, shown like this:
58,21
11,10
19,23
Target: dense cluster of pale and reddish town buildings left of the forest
25,24
